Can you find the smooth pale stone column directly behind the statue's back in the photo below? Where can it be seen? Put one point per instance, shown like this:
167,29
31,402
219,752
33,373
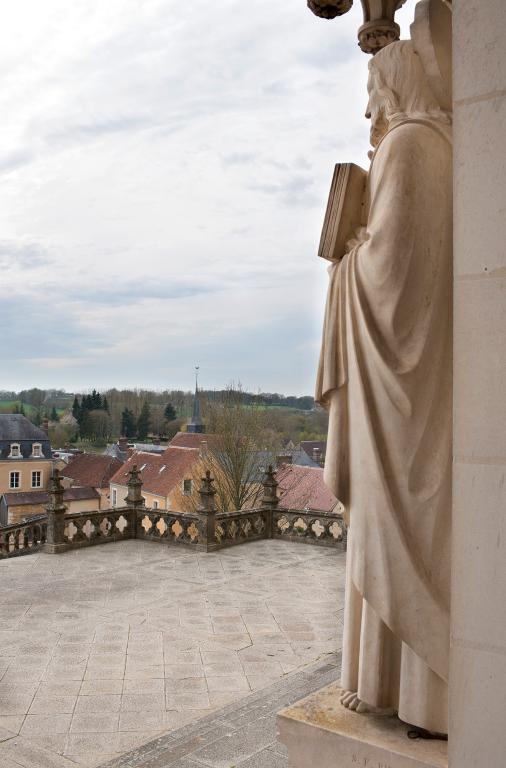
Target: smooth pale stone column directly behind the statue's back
478,649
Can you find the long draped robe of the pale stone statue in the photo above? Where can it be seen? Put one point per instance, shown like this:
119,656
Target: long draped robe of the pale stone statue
385,375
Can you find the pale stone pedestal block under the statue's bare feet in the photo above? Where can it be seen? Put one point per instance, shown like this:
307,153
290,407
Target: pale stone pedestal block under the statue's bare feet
319,731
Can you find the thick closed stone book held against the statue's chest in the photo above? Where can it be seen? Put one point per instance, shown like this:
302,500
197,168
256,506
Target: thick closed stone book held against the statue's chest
345,210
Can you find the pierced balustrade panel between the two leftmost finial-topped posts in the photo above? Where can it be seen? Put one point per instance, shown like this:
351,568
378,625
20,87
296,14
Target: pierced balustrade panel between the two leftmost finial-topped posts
89,528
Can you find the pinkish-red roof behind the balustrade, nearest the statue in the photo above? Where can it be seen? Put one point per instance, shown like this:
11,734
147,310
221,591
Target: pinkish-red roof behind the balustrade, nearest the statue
303,488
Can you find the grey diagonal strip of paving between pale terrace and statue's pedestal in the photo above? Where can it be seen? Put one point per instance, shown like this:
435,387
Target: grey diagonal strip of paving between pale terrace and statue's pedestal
243,734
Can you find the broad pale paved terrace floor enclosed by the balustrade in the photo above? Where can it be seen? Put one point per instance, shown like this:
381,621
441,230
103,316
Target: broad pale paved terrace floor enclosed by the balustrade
103,649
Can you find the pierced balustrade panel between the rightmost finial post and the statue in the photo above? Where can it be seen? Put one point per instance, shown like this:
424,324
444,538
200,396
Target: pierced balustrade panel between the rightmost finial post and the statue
324,529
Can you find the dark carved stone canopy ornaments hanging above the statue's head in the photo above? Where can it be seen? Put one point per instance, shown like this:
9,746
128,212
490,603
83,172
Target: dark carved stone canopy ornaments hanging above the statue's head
379,27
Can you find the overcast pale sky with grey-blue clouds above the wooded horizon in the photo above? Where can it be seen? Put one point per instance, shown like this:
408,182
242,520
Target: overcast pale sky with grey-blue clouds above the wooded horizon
164,170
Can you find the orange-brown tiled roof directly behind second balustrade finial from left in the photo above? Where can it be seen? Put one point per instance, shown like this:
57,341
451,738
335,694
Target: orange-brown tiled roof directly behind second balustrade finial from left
159,474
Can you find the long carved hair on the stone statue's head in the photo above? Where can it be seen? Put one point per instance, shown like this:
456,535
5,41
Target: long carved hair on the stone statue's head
400,80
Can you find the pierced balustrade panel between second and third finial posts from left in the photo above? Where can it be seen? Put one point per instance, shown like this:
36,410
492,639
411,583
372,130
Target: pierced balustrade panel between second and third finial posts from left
169,527
